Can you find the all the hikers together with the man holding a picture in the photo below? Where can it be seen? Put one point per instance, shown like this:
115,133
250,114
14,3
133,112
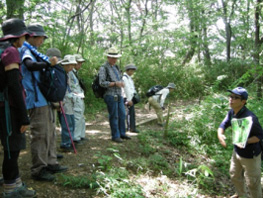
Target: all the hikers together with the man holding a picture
22,104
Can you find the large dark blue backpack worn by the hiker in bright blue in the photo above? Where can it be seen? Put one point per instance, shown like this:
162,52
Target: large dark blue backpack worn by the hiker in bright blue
53,83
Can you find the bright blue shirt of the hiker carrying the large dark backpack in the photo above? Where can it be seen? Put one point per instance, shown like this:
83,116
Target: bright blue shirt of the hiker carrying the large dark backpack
34,97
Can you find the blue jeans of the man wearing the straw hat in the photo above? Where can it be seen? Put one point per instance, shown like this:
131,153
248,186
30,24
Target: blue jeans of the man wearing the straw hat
116,111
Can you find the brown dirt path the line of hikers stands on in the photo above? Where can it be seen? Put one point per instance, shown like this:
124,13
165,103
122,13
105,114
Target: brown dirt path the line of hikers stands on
82,163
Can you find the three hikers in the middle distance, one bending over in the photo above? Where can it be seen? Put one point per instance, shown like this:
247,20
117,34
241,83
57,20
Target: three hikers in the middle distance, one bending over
121,92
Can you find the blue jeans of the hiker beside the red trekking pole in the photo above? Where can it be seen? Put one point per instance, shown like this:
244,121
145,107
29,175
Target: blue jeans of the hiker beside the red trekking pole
65,138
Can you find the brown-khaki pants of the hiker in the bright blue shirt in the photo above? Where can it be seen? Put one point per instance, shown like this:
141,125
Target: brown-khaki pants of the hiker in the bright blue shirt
43,141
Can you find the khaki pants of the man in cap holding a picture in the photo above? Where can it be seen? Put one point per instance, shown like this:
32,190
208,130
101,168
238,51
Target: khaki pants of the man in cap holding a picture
246,169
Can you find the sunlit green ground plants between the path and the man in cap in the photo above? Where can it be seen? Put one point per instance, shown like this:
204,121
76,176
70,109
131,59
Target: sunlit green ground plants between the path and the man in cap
188,163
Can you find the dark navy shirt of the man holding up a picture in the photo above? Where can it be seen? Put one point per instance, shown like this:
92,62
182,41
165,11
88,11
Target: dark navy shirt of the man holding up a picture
250,150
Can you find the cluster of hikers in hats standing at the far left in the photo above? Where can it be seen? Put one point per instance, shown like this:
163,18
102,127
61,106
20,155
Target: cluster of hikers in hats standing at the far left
22,104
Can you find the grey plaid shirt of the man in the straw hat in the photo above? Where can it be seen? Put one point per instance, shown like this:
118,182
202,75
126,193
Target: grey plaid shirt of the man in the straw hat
107,75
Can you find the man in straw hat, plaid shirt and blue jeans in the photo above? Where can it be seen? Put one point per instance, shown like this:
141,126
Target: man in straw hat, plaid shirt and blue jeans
111,78
